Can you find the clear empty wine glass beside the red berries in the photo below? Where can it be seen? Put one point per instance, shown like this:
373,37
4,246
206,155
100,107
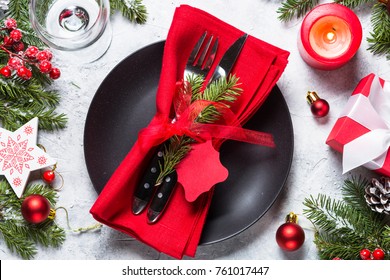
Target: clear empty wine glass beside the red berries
79,28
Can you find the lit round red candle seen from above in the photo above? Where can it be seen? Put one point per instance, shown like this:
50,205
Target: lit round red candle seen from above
330,36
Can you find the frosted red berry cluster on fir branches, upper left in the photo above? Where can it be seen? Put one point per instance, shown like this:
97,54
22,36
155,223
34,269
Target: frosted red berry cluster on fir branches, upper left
21,59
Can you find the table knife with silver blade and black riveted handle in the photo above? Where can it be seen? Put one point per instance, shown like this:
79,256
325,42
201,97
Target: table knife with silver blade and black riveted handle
165,190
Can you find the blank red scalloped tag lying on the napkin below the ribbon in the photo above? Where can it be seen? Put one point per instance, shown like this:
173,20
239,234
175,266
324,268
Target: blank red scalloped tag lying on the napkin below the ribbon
200,170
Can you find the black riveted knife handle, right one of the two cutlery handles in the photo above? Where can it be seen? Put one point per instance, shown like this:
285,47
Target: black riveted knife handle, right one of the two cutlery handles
161,197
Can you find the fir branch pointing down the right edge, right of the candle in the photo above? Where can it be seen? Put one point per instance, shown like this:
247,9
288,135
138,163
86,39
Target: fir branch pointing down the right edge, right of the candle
379,39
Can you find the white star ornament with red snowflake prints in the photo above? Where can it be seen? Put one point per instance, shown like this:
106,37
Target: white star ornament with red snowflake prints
19,155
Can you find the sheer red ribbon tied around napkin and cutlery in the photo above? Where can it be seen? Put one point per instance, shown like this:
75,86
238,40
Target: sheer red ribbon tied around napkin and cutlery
184,123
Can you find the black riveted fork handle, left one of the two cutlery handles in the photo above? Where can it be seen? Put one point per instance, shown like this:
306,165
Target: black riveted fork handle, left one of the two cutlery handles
146,187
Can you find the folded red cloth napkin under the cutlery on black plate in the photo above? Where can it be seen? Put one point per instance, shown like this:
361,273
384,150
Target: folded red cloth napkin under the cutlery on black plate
259,66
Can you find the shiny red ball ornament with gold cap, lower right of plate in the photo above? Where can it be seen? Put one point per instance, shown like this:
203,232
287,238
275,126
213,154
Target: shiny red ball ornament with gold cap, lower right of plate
290,236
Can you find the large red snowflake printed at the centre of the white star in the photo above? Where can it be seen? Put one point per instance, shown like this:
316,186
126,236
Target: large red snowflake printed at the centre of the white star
15,155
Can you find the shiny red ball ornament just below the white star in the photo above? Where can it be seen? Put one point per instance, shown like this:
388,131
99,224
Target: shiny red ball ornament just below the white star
35,208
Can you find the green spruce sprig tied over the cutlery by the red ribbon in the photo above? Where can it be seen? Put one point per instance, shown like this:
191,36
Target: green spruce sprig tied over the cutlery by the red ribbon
223,91
